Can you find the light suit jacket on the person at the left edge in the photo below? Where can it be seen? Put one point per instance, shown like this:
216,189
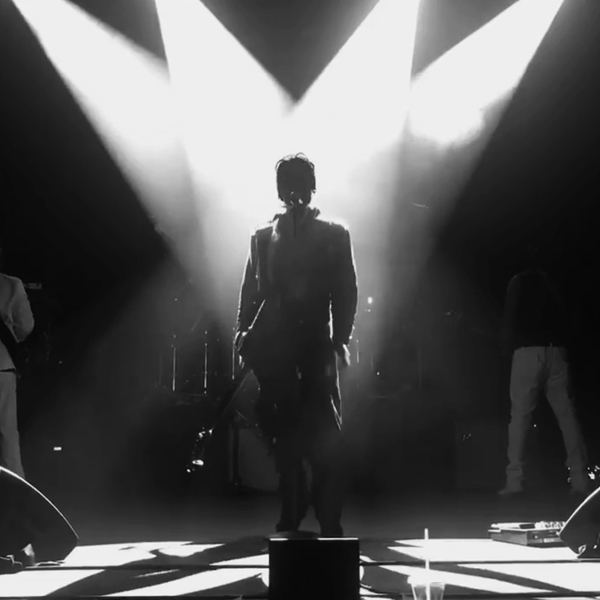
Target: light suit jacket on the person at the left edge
15,311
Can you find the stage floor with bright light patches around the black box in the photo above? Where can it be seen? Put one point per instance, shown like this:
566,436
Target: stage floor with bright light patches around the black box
171,547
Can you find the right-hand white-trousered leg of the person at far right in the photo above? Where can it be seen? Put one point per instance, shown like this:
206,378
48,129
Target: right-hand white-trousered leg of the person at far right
559,398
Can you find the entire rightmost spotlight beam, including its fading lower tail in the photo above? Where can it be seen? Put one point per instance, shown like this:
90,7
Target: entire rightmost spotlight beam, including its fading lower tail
455,107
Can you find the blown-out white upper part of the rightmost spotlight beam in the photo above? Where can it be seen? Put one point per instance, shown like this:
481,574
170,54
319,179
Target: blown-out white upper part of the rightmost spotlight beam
451,99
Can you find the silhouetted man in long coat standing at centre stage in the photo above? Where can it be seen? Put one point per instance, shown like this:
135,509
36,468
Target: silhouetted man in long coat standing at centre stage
303,268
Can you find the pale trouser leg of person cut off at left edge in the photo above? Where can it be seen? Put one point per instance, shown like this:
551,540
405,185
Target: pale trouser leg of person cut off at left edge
10,447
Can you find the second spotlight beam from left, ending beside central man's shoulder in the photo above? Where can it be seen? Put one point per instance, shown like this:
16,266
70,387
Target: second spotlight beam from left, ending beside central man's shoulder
229,112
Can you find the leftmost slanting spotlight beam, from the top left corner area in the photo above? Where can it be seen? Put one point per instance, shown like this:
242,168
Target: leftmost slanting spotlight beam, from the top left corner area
125,92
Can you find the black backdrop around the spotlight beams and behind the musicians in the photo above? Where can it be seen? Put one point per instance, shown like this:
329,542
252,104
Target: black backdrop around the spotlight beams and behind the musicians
70,221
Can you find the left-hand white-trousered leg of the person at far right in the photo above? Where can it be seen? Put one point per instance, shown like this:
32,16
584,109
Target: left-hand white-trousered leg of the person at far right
525,380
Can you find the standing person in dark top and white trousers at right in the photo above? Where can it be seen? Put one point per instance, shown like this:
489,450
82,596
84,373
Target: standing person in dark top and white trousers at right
536,329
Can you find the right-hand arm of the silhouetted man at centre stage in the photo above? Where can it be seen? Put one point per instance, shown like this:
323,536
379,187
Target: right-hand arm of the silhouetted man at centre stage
344,295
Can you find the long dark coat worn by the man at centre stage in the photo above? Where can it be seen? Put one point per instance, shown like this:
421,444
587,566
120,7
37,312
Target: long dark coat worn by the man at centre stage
302,268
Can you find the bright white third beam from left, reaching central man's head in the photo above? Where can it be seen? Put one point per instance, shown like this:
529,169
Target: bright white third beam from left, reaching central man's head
354,113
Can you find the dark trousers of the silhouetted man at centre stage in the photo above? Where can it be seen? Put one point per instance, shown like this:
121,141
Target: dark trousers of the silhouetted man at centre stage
296,409
